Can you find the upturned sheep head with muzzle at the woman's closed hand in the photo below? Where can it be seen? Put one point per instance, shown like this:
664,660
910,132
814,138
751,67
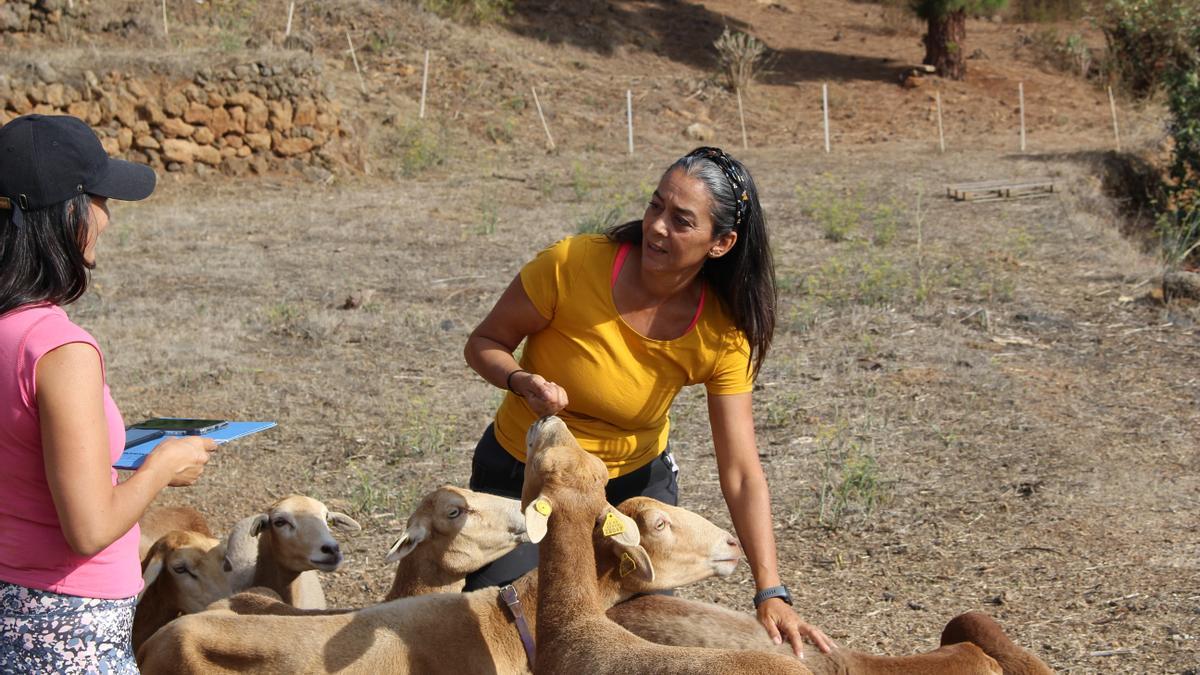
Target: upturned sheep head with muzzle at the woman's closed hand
559,469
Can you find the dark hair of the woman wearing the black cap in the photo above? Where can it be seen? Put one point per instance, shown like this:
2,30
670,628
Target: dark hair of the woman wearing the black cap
41,260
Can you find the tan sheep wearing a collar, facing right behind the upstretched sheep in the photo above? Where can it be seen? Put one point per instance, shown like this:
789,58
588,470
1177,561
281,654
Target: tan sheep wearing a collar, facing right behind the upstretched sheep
447,634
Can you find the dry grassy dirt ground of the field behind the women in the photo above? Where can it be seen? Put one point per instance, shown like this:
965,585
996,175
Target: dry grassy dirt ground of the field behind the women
968,407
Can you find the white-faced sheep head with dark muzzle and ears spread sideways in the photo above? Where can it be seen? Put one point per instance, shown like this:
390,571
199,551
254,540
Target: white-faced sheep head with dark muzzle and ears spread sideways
301,535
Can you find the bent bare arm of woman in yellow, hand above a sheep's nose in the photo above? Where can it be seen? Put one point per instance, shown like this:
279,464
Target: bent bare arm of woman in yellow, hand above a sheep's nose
490,349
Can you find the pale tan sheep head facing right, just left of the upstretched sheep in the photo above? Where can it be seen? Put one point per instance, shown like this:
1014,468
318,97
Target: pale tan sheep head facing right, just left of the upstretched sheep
467,529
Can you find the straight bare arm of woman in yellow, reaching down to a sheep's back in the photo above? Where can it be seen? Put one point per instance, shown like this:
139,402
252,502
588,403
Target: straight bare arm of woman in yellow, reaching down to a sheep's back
745,487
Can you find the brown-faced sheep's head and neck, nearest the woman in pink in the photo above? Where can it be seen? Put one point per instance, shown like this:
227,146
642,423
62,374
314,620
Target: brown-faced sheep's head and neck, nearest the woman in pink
195,577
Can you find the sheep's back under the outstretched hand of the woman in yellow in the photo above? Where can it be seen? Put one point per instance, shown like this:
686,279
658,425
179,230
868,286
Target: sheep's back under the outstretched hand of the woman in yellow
682,623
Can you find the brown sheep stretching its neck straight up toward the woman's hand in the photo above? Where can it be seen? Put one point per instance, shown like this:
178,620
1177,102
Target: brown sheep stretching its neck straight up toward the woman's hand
574,635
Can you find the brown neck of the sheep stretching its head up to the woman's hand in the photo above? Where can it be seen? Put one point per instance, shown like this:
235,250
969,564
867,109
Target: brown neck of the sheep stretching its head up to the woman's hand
568,564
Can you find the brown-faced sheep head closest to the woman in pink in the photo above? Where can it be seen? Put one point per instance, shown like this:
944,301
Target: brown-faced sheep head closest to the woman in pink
195,575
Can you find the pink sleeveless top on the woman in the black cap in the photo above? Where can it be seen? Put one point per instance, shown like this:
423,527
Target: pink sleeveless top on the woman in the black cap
33,549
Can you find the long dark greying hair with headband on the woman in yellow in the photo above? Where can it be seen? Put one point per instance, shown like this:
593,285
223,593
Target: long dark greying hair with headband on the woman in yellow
745,278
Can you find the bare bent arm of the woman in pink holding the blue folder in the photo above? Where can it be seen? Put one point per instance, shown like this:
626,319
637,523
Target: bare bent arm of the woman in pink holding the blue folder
93,512
